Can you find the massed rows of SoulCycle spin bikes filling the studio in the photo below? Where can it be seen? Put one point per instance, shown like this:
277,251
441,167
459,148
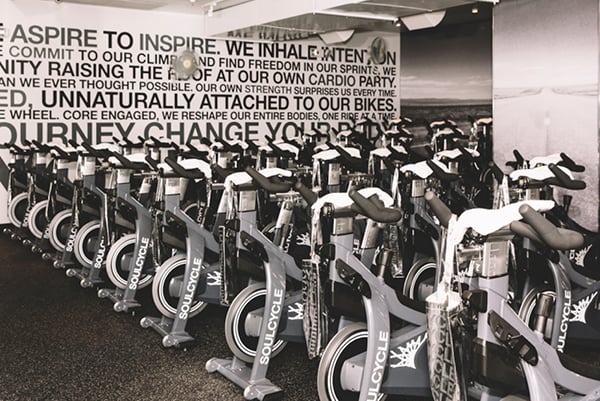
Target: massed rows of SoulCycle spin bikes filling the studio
410,270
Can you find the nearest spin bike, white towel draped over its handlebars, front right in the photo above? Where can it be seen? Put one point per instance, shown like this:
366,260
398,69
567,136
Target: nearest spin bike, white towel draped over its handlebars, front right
508,359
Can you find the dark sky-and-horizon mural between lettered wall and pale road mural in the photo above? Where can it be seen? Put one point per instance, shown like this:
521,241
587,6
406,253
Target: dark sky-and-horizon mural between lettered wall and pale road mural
446,71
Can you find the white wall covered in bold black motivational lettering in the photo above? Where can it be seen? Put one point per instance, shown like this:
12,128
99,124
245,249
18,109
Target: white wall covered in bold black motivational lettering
53,53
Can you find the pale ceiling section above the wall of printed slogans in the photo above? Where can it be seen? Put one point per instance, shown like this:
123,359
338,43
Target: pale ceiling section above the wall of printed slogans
293,19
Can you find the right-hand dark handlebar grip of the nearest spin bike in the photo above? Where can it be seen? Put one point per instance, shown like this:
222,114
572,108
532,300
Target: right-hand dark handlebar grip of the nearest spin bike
560,239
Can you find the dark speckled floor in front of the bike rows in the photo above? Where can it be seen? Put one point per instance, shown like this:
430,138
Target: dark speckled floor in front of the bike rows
60,342
